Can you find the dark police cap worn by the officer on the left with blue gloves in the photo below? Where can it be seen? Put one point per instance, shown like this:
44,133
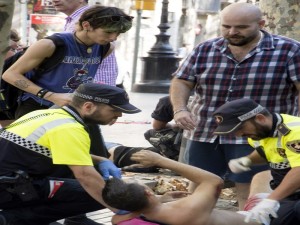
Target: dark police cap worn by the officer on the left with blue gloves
102,93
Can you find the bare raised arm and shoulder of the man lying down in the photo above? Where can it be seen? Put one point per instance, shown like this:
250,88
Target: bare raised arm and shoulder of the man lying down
193,209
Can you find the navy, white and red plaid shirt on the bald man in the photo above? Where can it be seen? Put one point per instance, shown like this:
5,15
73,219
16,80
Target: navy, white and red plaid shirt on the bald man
267,74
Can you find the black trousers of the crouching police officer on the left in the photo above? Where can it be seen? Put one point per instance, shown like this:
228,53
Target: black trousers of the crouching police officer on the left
69,200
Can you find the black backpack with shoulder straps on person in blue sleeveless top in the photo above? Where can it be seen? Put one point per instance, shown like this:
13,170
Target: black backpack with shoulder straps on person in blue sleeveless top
9,94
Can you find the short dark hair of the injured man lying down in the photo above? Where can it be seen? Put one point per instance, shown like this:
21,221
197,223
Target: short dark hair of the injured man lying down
125,196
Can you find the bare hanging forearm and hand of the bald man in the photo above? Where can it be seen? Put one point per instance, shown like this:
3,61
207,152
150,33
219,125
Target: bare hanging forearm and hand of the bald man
179,94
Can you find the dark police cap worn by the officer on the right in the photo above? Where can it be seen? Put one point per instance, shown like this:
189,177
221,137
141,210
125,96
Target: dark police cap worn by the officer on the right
229,117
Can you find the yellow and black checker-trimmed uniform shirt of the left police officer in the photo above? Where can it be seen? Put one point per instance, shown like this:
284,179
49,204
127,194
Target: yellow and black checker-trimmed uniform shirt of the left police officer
43,142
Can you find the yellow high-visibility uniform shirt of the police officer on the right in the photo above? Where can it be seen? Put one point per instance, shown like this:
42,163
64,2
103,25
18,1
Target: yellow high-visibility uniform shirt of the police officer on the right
282,151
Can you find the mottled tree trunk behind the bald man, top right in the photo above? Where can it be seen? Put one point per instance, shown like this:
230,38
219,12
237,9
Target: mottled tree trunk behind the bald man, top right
282,17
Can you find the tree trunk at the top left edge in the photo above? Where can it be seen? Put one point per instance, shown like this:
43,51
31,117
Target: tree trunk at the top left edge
6,14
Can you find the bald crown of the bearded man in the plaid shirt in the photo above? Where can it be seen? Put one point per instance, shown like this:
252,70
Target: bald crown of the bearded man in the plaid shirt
242,11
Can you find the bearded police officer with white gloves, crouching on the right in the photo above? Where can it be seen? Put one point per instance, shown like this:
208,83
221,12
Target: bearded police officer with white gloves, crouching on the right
276,140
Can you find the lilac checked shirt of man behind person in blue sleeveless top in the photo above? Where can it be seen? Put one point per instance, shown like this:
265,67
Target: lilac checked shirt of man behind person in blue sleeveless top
107,71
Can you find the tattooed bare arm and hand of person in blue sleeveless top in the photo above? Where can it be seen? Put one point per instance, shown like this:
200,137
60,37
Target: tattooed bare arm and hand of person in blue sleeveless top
33,57
